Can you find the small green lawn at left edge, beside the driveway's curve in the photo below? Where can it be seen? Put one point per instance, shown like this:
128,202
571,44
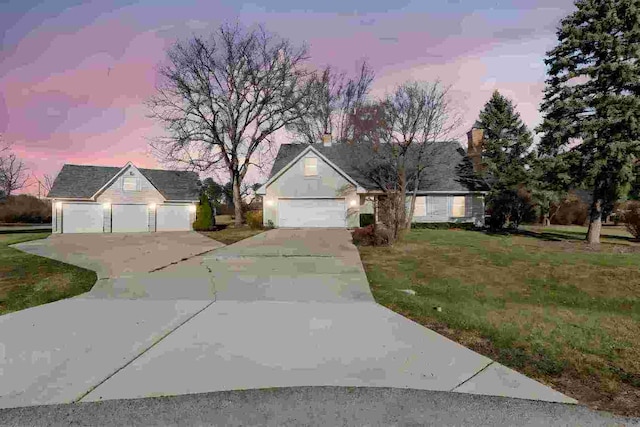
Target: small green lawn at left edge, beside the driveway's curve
28,280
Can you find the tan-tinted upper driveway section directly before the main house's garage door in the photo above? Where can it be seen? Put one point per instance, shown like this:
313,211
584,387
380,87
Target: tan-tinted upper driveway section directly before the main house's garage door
307,265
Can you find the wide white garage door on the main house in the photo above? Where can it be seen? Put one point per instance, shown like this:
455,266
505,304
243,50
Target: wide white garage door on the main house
311,213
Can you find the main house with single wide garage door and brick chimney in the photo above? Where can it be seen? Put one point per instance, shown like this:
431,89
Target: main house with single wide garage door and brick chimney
316,185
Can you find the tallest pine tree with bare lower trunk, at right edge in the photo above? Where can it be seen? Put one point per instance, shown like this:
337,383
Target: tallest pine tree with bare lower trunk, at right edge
591,101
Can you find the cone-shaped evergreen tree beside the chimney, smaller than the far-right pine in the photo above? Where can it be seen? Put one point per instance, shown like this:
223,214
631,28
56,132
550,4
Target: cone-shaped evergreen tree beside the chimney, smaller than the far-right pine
505,161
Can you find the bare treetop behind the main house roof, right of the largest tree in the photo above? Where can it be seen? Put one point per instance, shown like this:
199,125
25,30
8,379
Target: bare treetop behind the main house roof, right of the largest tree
333,99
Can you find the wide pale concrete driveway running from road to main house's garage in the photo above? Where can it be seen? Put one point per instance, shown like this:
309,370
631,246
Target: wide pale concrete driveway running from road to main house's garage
284,308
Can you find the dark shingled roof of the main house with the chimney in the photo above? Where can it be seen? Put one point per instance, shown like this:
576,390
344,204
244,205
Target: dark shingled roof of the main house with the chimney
448,166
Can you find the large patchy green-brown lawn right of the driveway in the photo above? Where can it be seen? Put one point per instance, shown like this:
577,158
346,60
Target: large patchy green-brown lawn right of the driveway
559,311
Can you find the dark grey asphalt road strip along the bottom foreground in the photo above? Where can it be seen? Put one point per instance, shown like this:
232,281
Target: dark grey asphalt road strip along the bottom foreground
331,406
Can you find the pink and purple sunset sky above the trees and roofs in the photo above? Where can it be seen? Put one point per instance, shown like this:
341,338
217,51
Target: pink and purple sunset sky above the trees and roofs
74,74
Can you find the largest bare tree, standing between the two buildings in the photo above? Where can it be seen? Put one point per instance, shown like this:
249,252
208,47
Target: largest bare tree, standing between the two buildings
222,100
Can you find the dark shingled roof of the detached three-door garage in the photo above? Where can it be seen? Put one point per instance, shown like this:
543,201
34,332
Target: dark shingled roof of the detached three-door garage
83,181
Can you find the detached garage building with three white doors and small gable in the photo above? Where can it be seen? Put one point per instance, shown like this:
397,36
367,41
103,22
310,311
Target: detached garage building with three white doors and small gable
102,199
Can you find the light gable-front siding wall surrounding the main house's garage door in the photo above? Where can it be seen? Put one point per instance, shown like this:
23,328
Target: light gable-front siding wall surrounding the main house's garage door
327,184
